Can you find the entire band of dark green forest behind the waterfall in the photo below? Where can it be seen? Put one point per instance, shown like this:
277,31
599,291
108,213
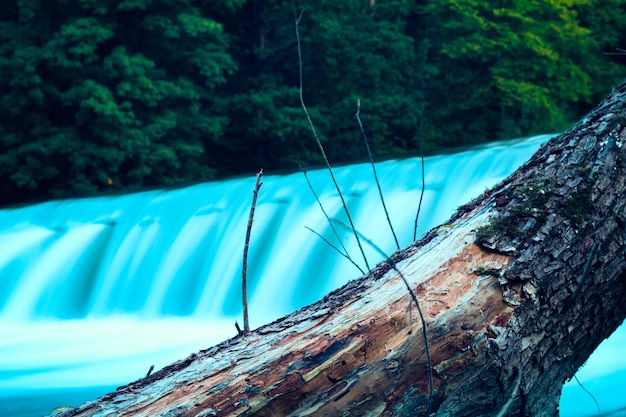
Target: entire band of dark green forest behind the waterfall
107,95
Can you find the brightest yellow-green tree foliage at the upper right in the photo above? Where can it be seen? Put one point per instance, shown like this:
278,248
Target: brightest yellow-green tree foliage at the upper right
527,65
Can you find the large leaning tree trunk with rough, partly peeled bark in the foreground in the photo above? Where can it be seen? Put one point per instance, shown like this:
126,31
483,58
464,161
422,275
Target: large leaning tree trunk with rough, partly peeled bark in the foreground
517,289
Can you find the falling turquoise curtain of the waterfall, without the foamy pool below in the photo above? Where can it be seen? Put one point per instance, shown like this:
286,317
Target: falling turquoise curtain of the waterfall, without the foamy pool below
179,252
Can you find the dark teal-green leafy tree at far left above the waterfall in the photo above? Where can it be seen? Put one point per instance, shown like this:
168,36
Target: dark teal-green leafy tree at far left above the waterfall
107,95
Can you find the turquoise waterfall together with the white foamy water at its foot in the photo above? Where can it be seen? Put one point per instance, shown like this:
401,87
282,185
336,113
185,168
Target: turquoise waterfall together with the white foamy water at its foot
94,291
